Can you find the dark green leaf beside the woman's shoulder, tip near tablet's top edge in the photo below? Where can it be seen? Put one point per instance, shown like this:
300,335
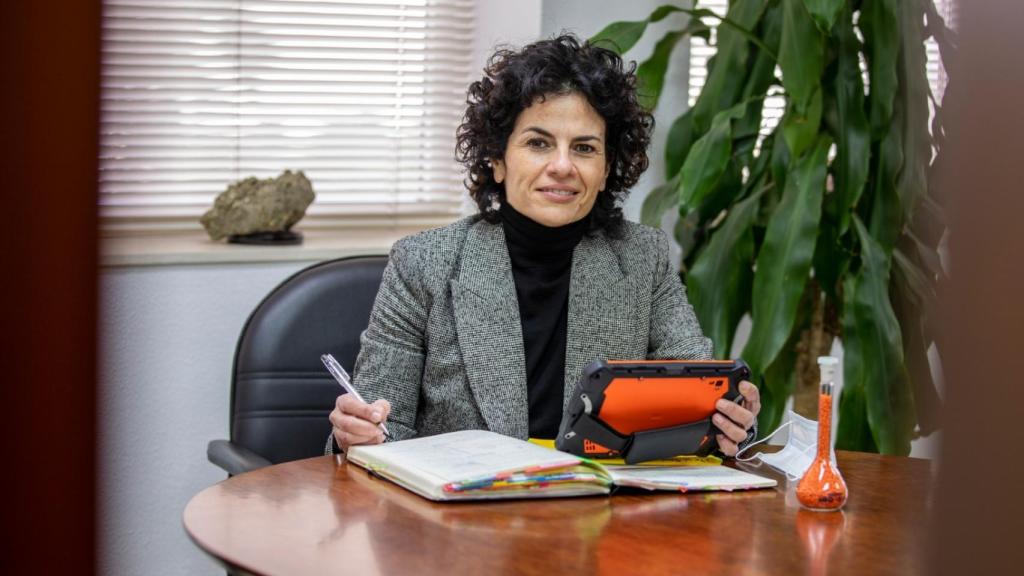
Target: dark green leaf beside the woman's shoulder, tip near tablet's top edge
719,282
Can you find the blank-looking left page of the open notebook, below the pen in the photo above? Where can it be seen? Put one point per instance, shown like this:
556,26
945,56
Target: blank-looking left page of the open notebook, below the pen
461,456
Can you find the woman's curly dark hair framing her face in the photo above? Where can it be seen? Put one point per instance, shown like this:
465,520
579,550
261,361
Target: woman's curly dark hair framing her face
515,80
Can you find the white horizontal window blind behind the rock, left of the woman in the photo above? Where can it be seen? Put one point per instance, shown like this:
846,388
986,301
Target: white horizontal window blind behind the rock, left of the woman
364,97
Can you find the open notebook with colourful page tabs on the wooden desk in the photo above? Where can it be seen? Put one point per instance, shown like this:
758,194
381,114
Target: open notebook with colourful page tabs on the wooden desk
481,465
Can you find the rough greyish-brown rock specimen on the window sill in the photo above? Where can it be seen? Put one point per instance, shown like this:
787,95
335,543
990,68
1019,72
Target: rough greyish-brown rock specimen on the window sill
253,205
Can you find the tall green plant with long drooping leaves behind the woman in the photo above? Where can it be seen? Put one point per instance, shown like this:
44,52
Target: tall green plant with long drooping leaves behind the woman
825,228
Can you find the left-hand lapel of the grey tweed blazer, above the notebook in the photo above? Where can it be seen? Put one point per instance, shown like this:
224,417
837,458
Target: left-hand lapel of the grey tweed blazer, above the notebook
487,316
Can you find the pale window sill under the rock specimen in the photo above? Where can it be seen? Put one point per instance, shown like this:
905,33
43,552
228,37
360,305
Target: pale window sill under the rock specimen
197,249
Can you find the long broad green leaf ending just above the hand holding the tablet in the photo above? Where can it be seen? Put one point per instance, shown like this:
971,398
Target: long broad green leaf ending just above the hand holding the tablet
785,261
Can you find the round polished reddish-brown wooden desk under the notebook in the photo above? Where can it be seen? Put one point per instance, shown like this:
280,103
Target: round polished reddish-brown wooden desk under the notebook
323,516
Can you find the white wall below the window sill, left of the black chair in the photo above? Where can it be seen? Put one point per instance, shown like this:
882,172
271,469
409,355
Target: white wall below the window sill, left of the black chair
168,337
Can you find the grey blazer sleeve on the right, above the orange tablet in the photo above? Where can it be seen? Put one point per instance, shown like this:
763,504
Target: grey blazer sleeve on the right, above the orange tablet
675,333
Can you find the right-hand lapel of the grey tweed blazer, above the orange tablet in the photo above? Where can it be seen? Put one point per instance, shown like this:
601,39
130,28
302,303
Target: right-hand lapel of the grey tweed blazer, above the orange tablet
601,310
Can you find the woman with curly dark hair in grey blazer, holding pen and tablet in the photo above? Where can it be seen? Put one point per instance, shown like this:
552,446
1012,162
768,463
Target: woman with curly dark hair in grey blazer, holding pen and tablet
489,322
